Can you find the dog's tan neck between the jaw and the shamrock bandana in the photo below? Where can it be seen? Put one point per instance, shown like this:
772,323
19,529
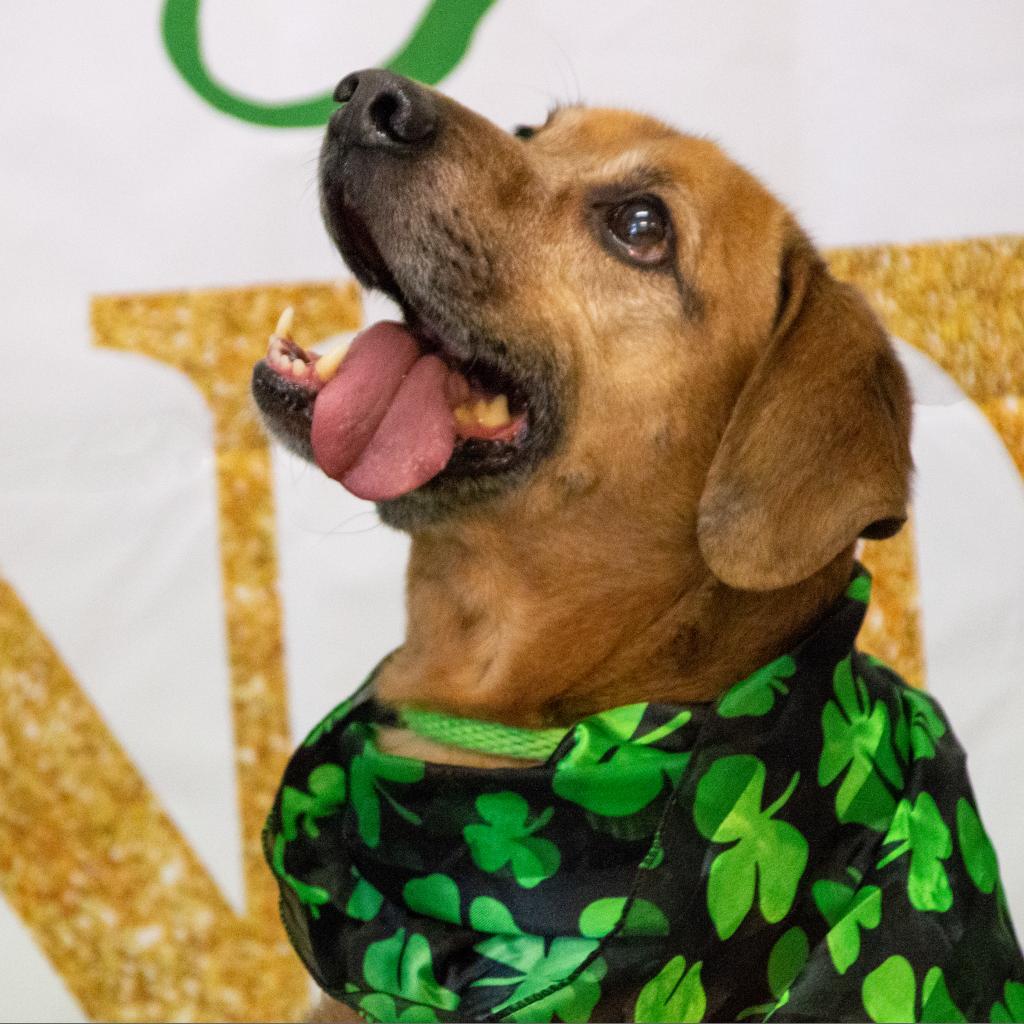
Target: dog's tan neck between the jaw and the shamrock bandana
506,627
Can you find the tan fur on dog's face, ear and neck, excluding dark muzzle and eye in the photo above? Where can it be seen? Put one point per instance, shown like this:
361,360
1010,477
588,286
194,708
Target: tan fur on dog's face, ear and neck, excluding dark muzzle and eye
718,467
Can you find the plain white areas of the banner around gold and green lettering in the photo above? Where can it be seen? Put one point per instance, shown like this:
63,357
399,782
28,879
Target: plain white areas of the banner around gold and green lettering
877,122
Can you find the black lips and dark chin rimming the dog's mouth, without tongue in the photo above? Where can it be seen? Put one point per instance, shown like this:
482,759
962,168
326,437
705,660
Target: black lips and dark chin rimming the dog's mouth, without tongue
481,468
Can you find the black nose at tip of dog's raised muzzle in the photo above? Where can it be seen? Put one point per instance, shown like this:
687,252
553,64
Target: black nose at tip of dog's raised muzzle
386,111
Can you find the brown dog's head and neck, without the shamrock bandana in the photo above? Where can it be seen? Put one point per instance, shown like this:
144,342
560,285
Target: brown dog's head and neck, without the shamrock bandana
701,422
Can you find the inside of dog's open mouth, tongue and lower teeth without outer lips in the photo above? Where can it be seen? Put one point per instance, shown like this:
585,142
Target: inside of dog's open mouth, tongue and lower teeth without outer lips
398,408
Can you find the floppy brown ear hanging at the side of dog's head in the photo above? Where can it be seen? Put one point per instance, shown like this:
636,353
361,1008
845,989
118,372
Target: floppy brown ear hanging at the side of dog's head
817,453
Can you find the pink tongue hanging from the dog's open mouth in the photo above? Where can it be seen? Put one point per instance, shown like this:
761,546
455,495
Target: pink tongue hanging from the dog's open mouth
383,426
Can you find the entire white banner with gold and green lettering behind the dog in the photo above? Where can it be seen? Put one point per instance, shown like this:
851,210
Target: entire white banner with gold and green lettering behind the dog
179,602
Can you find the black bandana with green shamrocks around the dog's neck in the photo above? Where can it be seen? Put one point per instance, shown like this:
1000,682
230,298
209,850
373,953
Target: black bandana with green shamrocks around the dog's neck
805,848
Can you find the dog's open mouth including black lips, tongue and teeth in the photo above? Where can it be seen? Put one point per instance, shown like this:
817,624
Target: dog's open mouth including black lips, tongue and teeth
426,406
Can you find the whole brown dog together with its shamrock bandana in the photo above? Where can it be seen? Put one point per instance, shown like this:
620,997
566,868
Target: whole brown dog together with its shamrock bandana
635,431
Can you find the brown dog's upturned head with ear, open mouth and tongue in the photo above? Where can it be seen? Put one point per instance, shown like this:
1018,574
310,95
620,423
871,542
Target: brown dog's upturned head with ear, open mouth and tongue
671,348
